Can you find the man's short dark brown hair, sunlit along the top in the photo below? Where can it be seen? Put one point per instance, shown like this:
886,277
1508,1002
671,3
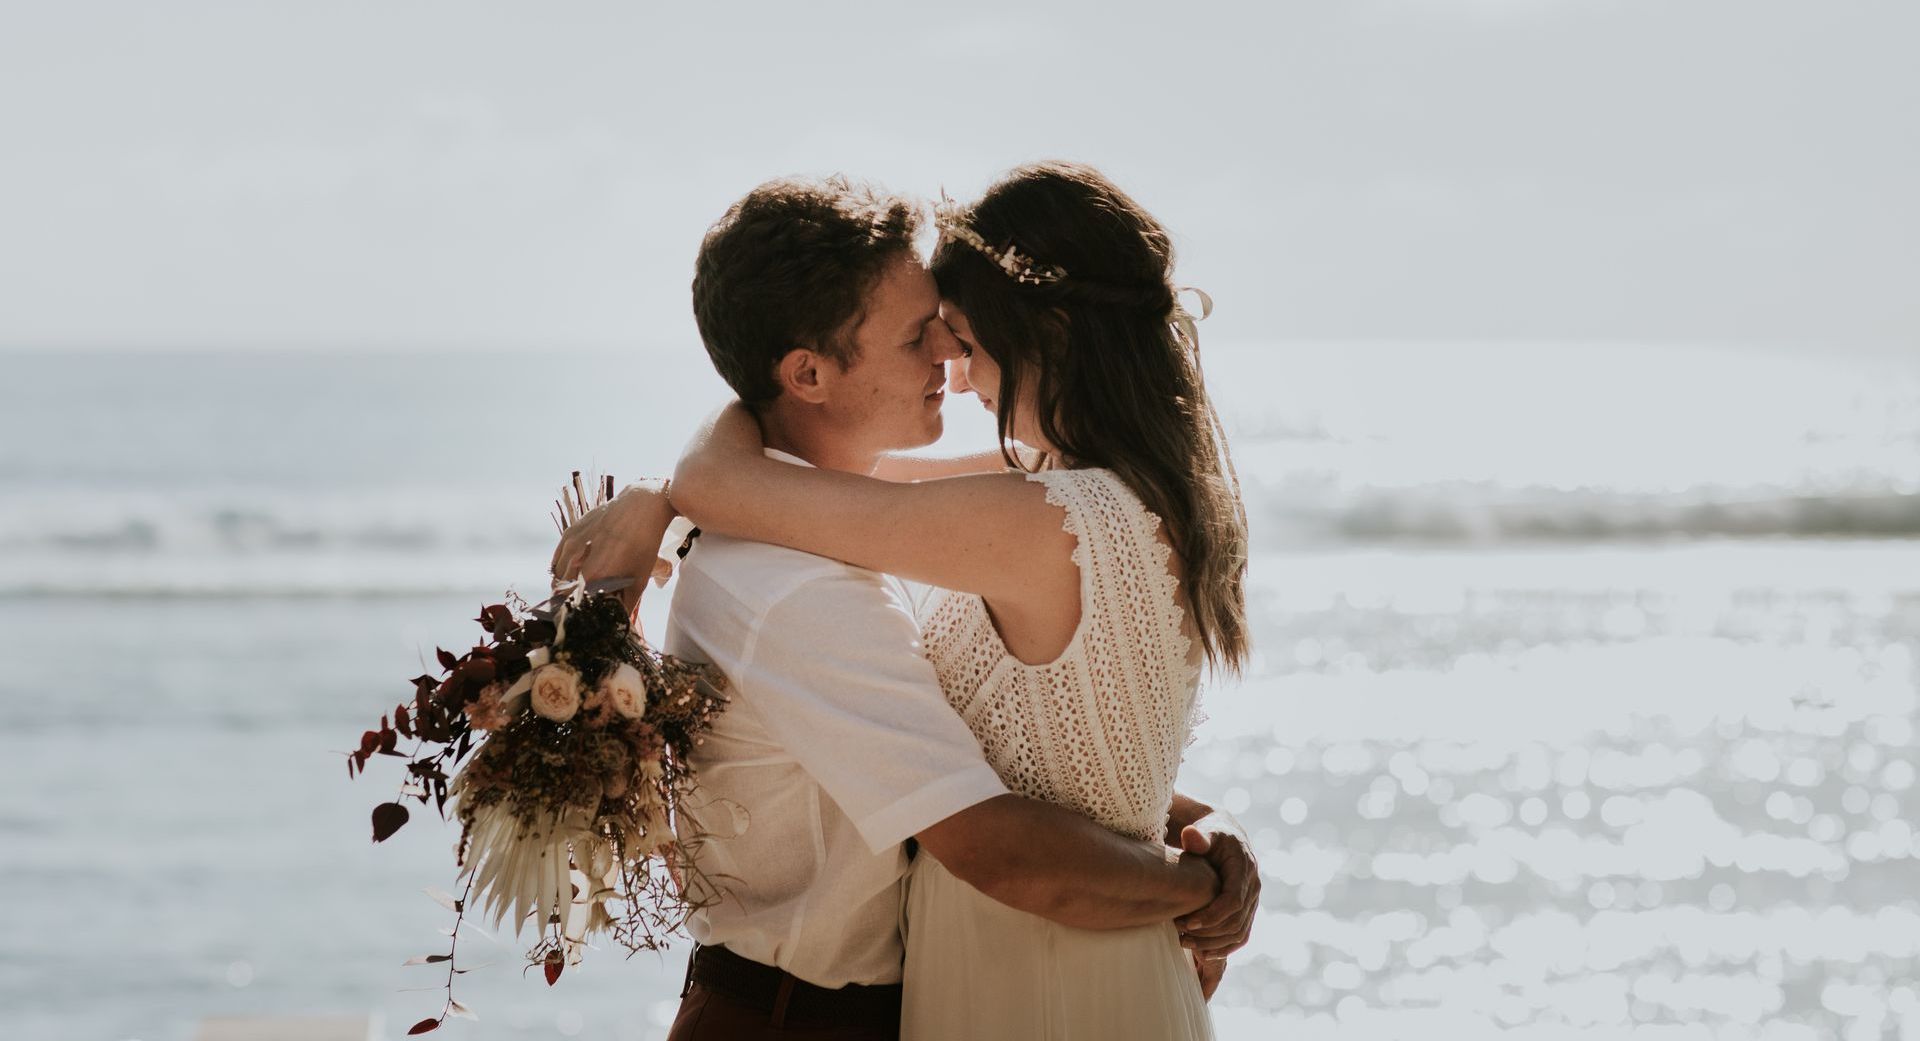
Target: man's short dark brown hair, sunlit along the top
790,268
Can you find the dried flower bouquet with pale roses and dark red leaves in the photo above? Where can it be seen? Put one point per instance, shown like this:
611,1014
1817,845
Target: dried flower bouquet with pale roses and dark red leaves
571,738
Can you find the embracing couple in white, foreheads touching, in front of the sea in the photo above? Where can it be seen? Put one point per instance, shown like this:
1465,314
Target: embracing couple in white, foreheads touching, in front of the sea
969,792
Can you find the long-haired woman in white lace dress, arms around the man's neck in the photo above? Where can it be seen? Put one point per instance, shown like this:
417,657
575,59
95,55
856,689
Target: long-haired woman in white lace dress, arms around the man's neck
1086,591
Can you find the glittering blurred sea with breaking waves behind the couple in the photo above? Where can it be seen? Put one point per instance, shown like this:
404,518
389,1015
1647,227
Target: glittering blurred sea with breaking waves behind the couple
1583,704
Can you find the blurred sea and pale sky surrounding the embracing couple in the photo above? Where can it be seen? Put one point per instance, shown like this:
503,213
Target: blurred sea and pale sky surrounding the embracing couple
1570,349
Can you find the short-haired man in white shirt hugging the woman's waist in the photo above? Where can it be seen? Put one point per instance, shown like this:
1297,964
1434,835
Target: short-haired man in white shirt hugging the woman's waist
838,746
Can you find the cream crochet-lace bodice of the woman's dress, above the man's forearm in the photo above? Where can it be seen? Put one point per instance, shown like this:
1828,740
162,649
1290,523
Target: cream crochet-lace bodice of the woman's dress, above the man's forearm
1103,727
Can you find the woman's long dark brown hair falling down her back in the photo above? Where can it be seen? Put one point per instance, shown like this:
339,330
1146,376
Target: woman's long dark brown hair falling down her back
1115,387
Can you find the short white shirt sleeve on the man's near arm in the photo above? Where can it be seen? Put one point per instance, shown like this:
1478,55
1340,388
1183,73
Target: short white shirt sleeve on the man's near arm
836,675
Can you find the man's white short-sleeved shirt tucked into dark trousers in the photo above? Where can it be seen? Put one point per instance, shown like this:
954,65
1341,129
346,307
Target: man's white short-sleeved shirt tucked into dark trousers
838,746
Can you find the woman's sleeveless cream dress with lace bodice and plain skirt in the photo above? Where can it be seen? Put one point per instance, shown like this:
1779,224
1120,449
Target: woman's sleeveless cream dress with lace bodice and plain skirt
1099,731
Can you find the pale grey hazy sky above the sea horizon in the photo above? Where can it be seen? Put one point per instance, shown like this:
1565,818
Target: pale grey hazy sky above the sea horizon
406,174
